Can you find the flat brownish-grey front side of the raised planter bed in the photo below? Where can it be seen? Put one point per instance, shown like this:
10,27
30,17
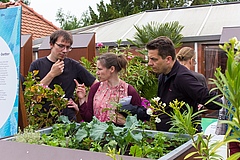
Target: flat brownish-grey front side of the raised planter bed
11,150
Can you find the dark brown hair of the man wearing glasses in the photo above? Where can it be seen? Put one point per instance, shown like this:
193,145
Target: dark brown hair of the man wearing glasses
61,33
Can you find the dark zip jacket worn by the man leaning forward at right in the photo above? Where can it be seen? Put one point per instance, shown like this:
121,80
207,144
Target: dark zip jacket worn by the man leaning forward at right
182,85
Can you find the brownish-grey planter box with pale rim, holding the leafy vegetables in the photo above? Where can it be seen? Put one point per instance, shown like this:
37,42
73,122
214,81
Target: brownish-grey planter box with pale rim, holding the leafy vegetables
12,150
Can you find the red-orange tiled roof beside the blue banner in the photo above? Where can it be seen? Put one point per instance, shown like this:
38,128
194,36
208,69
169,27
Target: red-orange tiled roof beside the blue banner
34,23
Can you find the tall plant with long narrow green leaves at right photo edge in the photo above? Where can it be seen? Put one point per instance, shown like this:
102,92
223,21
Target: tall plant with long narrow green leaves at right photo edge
228,83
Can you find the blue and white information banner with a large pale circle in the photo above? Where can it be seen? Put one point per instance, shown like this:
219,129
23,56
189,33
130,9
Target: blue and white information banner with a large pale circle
10,33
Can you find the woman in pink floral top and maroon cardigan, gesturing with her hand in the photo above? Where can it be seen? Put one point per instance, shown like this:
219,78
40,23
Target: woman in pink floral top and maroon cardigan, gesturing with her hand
111,89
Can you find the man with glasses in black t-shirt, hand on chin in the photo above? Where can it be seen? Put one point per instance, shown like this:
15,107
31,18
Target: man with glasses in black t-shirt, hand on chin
56,68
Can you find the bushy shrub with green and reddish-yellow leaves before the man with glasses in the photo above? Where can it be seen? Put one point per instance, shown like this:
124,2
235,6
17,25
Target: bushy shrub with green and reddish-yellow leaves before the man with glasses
36,95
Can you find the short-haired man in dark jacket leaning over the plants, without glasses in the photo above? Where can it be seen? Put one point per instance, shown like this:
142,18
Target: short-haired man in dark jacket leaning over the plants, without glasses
175,81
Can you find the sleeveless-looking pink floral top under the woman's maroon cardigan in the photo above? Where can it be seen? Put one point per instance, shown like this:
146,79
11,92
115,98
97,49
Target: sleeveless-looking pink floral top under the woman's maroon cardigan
105,97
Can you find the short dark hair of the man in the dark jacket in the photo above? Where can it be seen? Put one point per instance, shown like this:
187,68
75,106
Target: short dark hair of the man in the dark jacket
164,45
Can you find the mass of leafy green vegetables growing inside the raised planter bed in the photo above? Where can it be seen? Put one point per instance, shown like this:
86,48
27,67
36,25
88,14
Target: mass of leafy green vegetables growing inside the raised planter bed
131,139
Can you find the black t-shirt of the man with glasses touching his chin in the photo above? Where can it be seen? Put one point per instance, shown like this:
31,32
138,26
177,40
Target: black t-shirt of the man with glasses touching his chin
72,70
